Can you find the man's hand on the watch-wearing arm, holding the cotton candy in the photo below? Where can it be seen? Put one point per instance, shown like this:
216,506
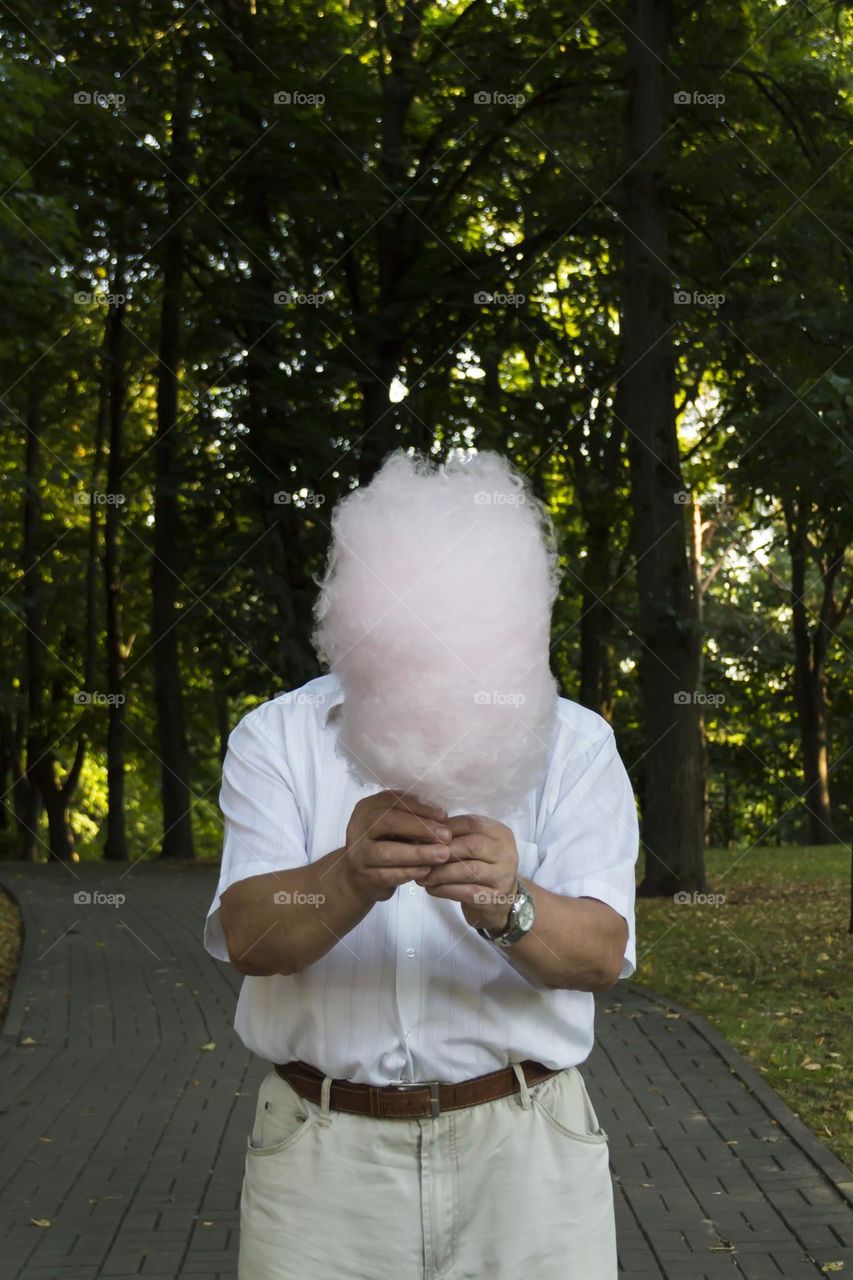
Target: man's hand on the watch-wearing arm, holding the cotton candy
481,872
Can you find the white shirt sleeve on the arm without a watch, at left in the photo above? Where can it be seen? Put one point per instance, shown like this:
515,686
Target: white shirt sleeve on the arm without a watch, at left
263,829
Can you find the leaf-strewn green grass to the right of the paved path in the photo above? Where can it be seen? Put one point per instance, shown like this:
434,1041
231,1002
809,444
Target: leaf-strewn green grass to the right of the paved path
770,968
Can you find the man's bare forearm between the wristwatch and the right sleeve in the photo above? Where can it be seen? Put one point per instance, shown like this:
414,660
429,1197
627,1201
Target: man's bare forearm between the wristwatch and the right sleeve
576,943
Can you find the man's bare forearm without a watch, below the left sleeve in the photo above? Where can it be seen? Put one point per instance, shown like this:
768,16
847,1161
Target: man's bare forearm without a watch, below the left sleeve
282,922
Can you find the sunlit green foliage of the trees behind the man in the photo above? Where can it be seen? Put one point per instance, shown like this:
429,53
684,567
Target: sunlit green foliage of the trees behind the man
398,198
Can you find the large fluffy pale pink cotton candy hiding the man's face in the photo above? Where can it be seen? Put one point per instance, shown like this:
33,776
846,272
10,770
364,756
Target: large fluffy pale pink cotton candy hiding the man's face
435,611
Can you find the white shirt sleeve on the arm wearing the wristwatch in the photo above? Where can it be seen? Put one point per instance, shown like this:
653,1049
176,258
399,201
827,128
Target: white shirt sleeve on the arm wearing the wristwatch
591,840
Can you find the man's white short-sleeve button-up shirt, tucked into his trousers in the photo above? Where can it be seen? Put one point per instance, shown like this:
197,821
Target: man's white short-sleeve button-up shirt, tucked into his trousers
414,993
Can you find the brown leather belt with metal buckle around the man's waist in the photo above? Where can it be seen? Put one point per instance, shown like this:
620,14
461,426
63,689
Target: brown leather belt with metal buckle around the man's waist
410,1101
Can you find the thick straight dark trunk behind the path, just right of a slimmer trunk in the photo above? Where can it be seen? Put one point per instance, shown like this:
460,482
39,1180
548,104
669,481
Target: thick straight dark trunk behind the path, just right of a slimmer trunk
167,564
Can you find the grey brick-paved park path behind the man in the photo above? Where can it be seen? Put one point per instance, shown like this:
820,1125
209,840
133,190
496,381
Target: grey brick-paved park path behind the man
127,1099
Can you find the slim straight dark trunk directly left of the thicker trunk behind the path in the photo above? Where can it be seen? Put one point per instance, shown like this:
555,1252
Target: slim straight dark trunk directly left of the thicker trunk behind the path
116,843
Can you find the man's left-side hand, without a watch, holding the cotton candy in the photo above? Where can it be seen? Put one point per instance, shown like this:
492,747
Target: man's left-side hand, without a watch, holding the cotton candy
394,839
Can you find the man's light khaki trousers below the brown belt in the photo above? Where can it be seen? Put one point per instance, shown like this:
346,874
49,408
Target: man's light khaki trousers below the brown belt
504,1190
